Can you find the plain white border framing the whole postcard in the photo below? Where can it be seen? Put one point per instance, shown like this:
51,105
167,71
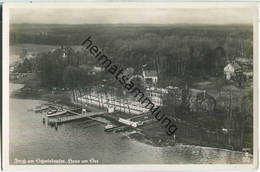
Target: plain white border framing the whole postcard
116,167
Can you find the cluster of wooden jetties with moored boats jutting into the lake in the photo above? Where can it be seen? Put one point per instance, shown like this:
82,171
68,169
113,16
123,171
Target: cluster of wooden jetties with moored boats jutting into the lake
95,117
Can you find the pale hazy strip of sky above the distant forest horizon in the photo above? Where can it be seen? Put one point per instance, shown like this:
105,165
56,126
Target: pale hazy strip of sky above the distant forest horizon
153,15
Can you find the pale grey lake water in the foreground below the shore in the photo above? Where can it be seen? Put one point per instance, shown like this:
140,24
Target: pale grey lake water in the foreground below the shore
31,139
